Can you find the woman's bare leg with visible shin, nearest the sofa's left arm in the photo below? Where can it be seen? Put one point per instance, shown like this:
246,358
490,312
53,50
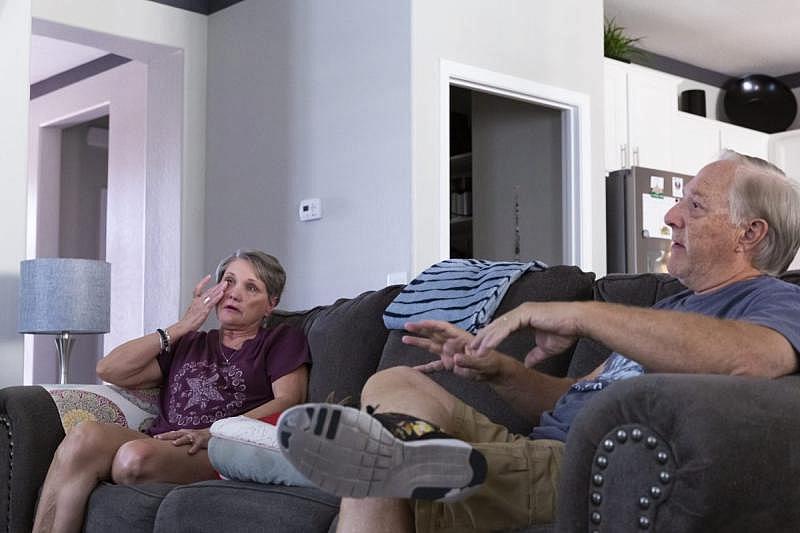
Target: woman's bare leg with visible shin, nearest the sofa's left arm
82,459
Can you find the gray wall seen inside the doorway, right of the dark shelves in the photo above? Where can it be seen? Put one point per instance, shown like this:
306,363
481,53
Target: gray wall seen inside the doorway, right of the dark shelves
516,149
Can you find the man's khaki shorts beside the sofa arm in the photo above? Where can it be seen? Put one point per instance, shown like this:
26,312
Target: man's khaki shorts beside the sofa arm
520,487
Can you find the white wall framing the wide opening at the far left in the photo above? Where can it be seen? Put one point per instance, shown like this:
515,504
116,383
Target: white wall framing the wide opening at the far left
136,29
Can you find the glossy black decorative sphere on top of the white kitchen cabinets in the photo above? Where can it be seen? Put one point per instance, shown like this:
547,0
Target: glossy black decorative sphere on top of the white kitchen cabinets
760,102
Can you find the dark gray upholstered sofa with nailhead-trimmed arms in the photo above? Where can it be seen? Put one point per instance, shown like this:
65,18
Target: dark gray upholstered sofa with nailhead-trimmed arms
656,453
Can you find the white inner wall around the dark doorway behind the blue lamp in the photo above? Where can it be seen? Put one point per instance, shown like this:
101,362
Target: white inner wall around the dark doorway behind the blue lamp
121,93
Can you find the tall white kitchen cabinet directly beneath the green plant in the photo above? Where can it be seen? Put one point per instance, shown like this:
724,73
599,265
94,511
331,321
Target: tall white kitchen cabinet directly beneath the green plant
639,104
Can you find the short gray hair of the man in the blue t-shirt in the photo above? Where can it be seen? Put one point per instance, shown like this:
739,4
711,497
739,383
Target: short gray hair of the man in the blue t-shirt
762,190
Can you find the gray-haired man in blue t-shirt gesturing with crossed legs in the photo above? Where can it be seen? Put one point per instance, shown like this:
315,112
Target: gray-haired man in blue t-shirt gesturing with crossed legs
422,459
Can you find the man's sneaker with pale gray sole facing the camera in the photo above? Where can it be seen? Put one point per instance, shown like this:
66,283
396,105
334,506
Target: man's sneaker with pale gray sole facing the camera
355,454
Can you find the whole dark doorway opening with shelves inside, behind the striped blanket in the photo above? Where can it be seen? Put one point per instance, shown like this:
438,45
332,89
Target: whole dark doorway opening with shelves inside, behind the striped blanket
506,178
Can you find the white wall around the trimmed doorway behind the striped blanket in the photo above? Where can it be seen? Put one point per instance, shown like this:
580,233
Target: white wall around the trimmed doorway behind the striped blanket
552,42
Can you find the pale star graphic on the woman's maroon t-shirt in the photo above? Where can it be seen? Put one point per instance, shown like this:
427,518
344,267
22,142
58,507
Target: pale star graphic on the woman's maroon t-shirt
203,392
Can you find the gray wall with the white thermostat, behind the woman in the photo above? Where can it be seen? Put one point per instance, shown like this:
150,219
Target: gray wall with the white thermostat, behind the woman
311,98
